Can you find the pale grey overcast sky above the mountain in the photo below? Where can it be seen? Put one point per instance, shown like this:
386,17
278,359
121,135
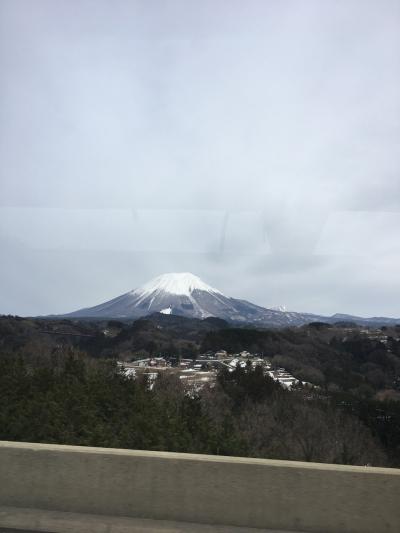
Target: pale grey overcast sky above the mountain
253,143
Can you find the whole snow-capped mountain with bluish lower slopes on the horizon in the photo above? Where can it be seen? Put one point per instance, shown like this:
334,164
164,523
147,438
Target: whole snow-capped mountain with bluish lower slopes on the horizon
187,295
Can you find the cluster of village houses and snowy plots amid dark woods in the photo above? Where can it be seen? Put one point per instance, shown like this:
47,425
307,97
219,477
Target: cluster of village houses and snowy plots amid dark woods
196,373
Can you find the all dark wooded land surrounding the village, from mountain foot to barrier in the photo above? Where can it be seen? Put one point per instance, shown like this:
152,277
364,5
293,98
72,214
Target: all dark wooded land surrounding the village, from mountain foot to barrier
59,383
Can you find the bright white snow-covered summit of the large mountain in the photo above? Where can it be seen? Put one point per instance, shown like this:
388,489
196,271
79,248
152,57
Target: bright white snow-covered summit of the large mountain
177,283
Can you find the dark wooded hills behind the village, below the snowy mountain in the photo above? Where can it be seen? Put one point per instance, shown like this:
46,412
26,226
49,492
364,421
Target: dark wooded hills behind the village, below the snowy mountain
343,357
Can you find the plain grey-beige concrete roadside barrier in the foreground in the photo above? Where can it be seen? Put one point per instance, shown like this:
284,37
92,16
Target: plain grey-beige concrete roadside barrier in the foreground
203,489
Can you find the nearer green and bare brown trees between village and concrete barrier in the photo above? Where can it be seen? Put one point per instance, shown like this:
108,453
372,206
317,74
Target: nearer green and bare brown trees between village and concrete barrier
70,398
